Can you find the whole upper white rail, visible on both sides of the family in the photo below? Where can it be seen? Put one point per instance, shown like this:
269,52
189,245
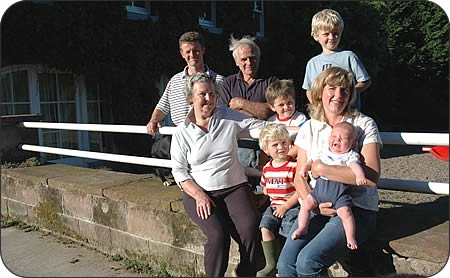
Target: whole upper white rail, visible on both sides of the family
389,138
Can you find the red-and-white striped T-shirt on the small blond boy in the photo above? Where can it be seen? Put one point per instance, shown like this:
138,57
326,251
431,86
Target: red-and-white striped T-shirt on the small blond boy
279,181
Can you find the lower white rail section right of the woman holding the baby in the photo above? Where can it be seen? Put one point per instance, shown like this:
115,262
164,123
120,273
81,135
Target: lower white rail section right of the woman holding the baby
414,186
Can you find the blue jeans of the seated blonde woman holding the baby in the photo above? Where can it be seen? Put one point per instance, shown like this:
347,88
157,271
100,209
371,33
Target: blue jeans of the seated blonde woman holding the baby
323,245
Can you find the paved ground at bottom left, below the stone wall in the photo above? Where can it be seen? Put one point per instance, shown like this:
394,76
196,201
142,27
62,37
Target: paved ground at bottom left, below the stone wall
37,254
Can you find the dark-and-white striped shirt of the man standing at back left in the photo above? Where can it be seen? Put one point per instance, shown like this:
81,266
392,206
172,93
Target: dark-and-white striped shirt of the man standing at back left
173,100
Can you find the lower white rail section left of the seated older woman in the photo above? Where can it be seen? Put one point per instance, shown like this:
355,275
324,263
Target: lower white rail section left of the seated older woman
157,162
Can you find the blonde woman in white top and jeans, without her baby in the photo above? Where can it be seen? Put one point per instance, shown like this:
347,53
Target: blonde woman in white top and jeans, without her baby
333,97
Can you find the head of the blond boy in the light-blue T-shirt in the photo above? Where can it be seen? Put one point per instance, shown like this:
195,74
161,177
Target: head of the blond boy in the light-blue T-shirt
326,28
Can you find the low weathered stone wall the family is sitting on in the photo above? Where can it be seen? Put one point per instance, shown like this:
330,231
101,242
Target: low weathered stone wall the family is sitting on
135,216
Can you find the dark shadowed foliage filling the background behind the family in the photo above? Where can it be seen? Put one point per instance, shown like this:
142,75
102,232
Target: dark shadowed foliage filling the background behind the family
403,44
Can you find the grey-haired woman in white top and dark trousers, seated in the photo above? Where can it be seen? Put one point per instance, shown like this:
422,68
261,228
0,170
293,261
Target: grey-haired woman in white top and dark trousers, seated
216,194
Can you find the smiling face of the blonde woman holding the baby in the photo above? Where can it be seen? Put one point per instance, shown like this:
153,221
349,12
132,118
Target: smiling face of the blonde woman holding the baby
335,99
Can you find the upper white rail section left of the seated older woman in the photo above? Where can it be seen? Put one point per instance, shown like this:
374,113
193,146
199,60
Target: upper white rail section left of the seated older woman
168,130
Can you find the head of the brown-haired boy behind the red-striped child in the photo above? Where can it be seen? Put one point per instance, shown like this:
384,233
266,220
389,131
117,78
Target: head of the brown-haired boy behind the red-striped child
280,95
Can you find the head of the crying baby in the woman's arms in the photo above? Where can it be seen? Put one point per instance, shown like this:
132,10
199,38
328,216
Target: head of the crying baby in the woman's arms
342,138
